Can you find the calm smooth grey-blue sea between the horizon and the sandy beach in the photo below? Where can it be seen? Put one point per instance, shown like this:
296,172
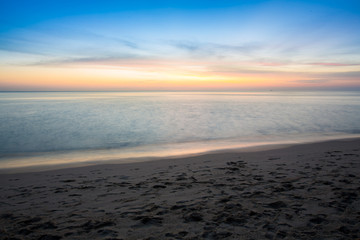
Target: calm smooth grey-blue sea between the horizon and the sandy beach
62,127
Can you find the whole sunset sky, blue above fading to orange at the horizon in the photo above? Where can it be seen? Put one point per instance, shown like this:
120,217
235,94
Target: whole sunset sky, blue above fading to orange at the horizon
179,45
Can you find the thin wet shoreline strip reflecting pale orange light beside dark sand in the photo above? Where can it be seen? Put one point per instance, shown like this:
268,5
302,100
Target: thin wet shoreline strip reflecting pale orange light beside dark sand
206,151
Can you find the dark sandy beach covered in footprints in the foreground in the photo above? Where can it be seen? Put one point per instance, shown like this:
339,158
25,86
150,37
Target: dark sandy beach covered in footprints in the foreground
309,191
